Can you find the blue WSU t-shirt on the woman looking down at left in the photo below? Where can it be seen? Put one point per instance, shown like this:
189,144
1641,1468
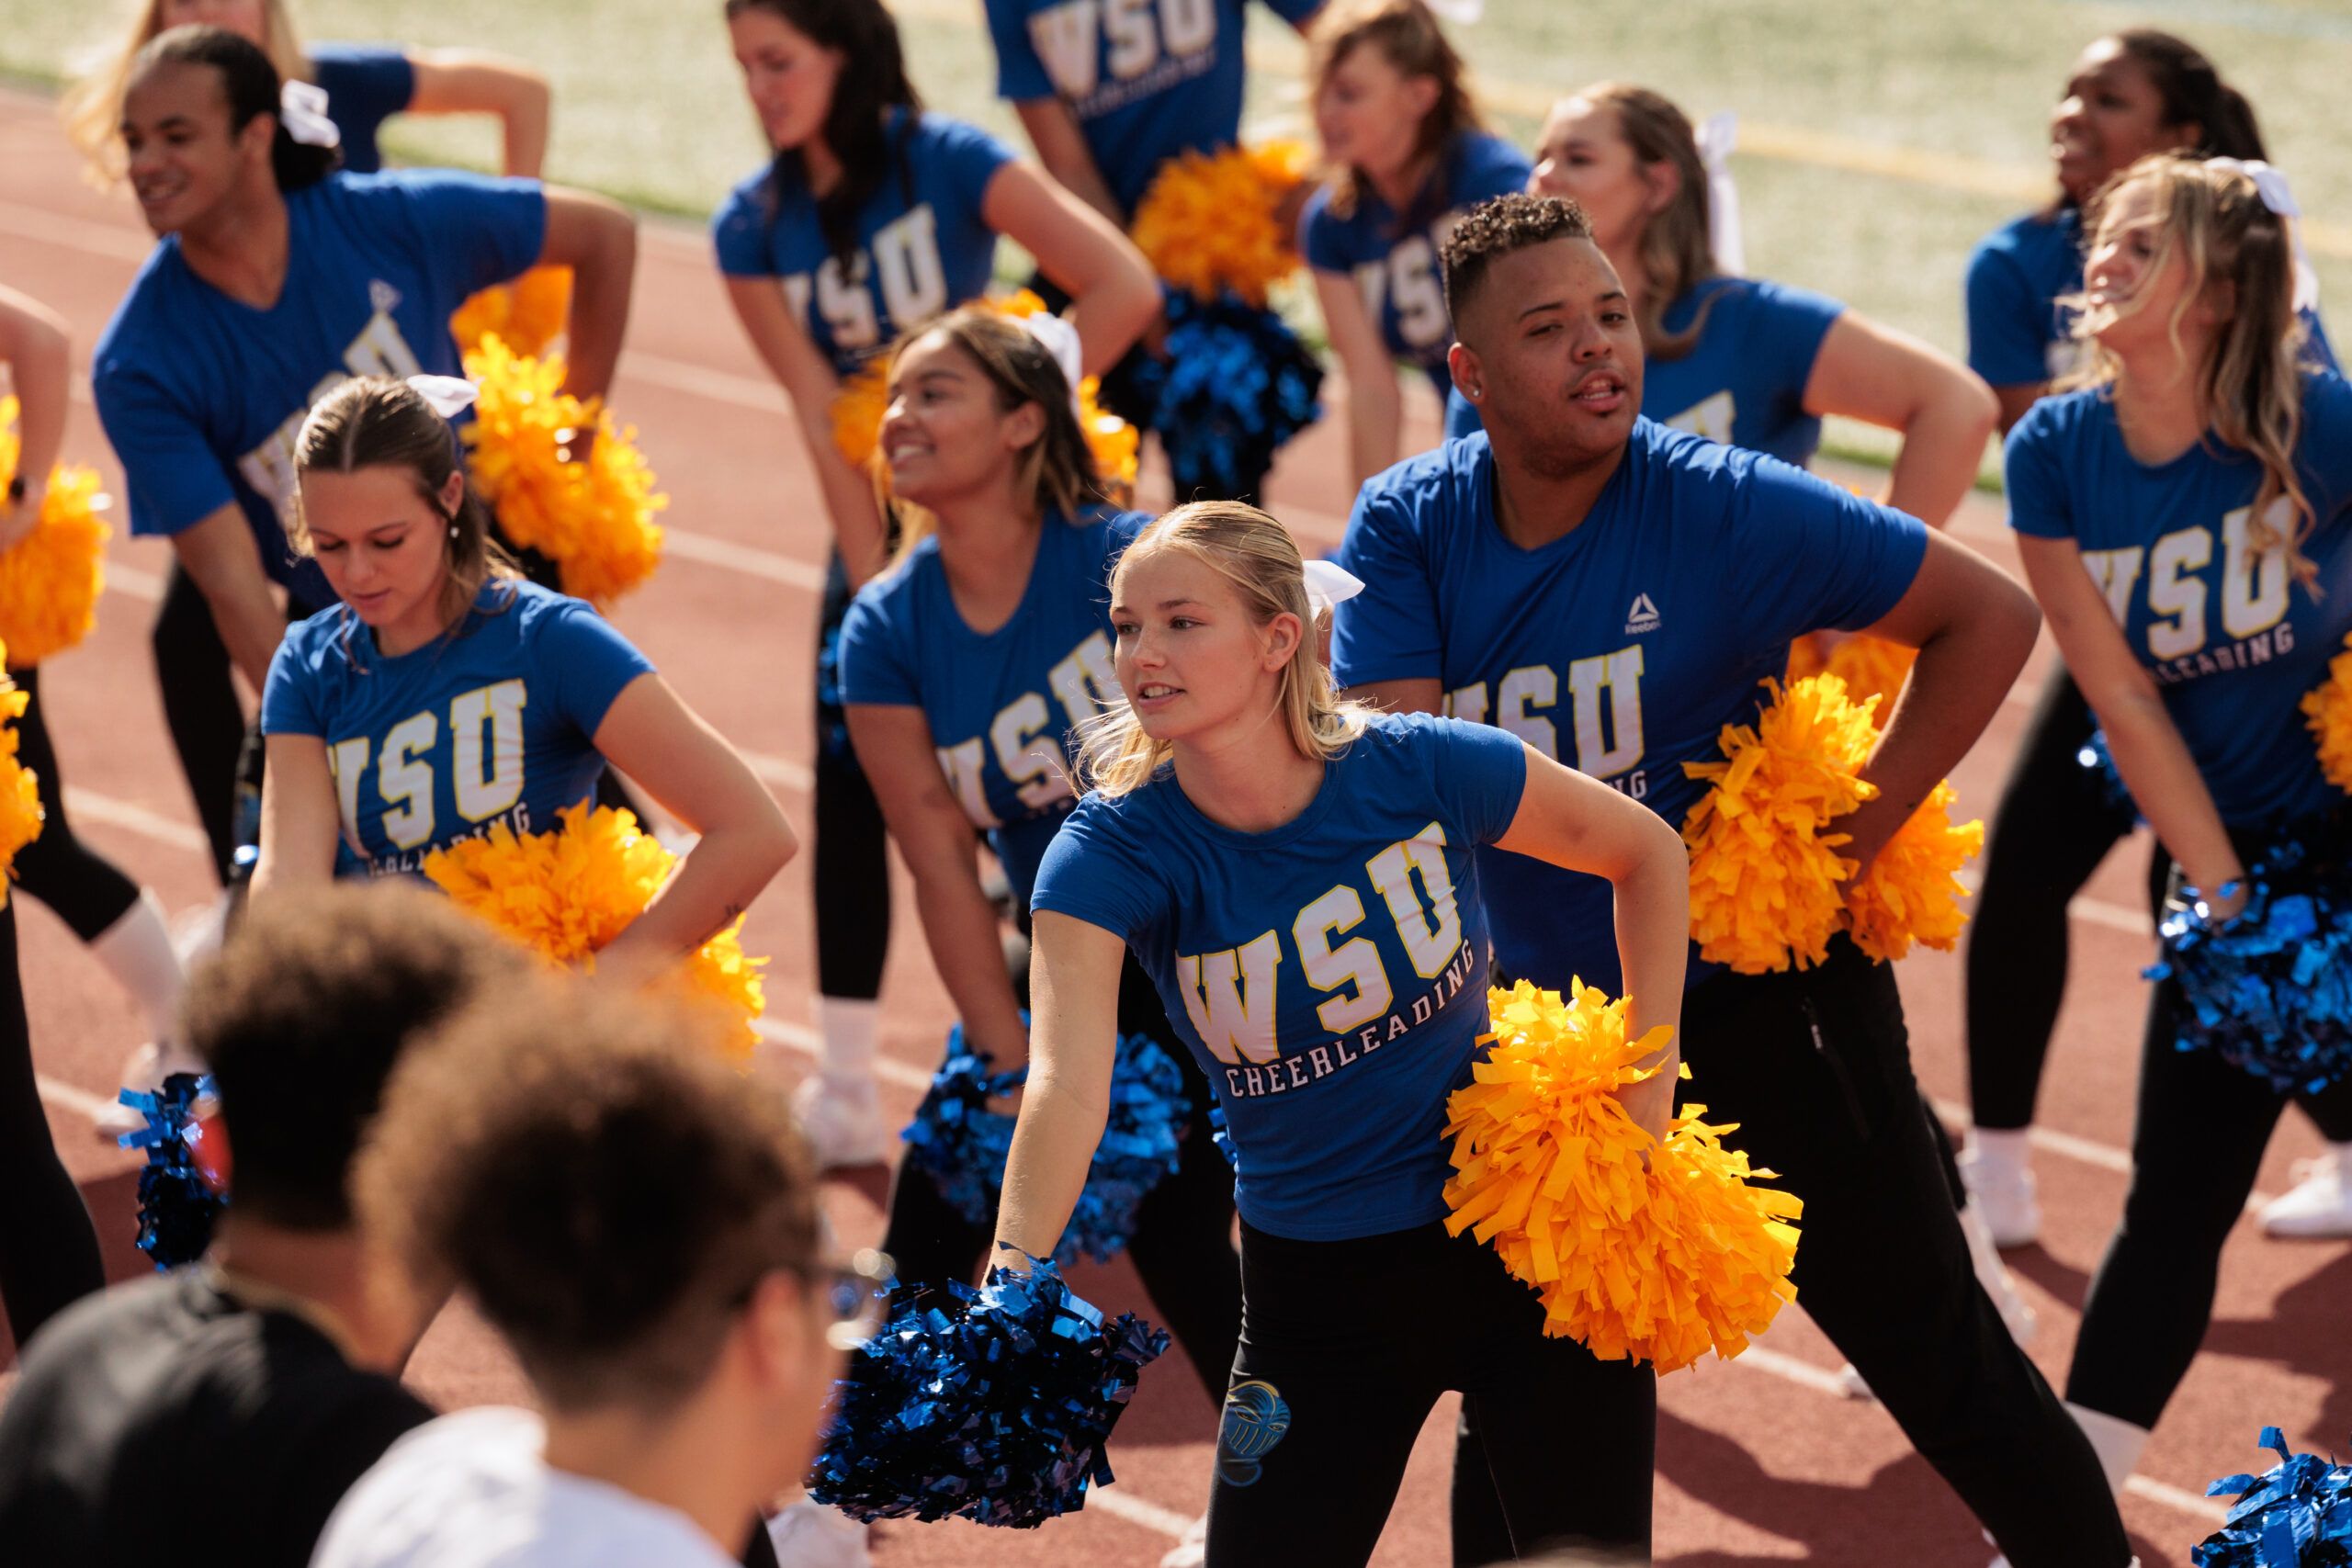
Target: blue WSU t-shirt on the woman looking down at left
443,744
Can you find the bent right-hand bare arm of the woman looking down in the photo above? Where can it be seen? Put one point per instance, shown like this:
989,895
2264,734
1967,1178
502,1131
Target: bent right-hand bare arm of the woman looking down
690,770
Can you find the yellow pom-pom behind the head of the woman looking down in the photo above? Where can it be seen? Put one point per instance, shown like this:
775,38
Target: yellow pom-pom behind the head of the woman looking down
594,518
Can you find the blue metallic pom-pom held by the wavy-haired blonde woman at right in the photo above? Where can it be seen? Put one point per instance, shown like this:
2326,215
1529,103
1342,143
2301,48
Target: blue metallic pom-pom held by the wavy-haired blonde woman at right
2271,989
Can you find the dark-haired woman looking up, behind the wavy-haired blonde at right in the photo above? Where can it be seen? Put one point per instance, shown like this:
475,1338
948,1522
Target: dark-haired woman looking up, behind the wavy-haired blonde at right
2130,95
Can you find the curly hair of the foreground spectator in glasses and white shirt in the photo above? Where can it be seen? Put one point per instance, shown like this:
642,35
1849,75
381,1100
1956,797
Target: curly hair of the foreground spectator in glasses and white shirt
603,1186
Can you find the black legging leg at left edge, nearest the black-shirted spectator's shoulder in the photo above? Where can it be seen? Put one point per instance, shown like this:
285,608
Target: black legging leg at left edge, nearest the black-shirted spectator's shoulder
48,1247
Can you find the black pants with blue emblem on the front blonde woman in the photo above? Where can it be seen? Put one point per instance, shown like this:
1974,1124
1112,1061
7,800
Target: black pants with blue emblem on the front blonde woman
1344,1351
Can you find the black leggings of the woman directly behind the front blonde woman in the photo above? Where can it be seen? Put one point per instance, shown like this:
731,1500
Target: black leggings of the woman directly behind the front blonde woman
1184,1228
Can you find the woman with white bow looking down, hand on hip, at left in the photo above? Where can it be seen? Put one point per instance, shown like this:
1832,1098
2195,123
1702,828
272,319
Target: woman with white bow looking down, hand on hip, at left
446,697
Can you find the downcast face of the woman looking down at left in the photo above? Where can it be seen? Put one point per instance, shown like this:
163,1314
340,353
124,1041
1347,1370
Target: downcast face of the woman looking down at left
385,549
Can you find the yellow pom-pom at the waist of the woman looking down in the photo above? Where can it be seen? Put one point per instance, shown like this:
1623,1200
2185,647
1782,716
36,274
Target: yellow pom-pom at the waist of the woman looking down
568,894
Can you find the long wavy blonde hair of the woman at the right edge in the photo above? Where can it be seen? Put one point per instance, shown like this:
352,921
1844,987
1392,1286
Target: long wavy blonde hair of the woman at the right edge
2243,262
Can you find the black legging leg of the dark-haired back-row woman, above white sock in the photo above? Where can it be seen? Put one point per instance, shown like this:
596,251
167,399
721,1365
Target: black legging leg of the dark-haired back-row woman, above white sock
853,843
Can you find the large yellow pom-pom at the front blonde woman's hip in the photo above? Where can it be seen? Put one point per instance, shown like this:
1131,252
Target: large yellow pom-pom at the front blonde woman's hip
1655,1264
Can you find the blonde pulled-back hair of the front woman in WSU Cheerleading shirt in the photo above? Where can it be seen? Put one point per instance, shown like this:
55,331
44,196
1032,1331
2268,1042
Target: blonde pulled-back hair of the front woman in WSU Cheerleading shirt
1259,558
